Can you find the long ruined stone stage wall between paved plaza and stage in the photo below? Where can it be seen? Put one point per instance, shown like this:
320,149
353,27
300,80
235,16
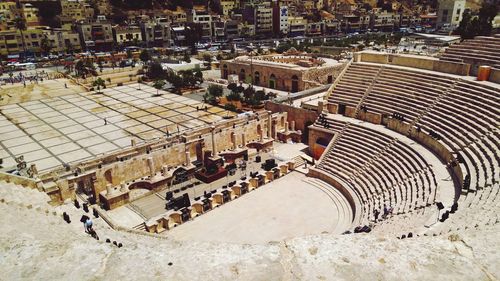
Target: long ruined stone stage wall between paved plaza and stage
132,163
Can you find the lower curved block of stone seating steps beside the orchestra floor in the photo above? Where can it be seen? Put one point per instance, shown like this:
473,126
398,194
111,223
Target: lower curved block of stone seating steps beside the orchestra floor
382,171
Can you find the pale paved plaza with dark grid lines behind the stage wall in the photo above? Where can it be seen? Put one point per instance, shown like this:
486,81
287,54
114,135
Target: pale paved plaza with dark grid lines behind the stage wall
74,127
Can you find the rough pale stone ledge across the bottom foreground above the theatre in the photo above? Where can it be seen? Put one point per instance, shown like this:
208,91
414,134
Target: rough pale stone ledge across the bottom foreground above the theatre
36,244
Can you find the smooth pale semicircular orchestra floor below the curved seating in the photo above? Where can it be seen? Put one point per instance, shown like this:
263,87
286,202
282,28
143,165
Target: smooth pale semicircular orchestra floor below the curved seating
286,208
